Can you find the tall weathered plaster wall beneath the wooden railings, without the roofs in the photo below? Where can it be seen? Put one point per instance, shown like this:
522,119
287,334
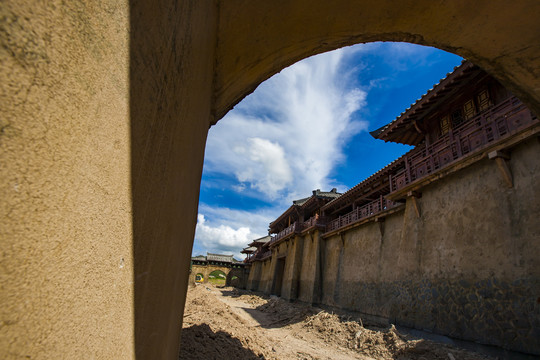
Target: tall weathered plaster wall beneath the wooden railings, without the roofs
467,267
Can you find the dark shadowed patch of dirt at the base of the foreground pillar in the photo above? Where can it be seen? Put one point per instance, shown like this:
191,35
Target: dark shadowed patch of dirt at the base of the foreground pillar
200,342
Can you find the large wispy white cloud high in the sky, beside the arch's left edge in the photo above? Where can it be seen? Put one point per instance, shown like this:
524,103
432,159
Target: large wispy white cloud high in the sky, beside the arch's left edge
284,139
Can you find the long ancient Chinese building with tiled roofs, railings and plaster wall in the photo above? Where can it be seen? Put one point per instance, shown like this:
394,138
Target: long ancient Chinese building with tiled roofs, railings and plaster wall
446,238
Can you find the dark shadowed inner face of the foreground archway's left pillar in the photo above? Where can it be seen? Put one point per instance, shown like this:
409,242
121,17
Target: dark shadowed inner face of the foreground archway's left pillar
171,74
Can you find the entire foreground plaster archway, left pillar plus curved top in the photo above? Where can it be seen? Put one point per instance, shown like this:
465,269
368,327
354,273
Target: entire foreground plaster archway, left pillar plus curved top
106,109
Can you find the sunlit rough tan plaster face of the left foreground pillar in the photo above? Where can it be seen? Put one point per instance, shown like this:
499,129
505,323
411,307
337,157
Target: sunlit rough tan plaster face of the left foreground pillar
66,210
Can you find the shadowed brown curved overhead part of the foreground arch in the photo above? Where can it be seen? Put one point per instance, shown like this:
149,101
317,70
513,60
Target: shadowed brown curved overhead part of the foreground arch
256,40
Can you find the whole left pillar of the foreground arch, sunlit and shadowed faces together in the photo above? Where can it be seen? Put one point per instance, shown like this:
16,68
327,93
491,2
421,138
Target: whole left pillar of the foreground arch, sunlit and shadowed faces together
106,107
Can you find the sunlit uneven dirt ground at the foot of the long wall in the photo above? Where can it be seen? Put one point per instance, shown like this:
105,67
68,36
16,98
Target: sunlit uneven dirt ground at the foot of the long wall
227,323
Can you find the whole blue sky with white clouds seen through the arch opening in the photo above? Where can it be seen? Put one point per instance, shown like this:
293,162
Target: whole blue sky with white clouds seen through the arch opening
307,128
